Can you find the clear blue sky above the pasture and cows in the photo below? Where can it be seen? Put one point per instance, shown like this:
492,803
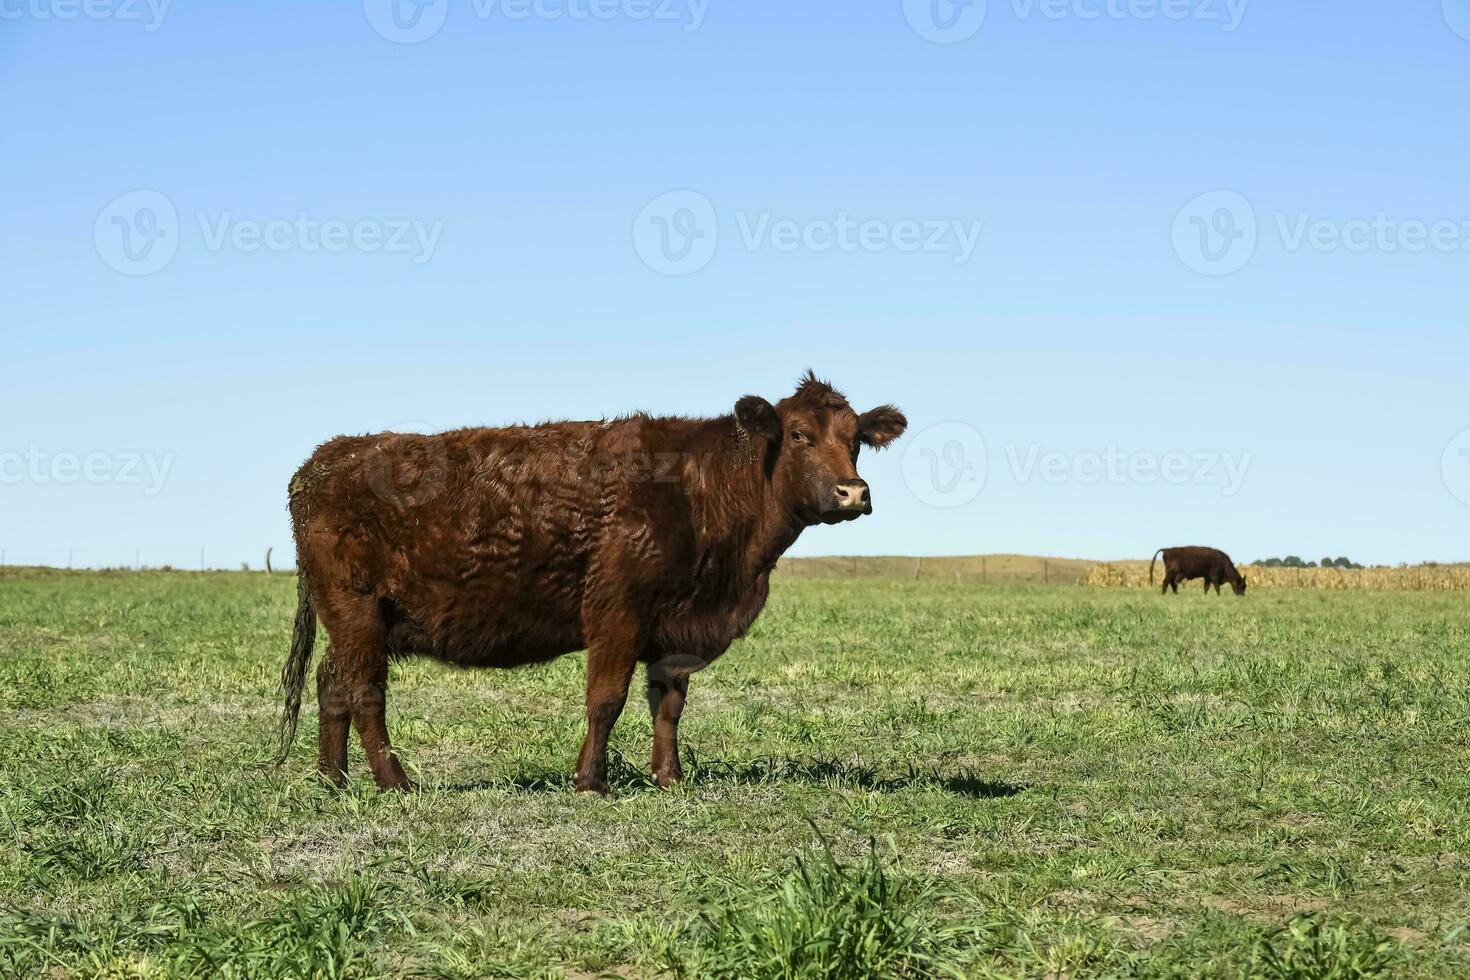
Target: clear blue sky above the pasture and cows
1140,273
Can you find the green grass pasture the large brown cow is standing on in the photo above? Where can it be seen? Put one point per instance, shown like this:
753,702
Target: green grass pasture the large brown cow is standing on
889,778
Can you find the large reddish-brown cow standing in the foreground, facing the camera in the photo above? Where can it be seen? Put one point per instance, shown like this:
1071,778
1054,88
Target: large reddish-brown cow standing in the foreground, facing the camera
640,540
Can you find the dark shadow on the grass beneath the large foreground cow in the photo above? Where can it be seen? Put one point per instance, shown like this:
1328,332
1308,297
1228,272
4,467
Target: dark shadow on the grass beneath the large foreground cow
625,778
